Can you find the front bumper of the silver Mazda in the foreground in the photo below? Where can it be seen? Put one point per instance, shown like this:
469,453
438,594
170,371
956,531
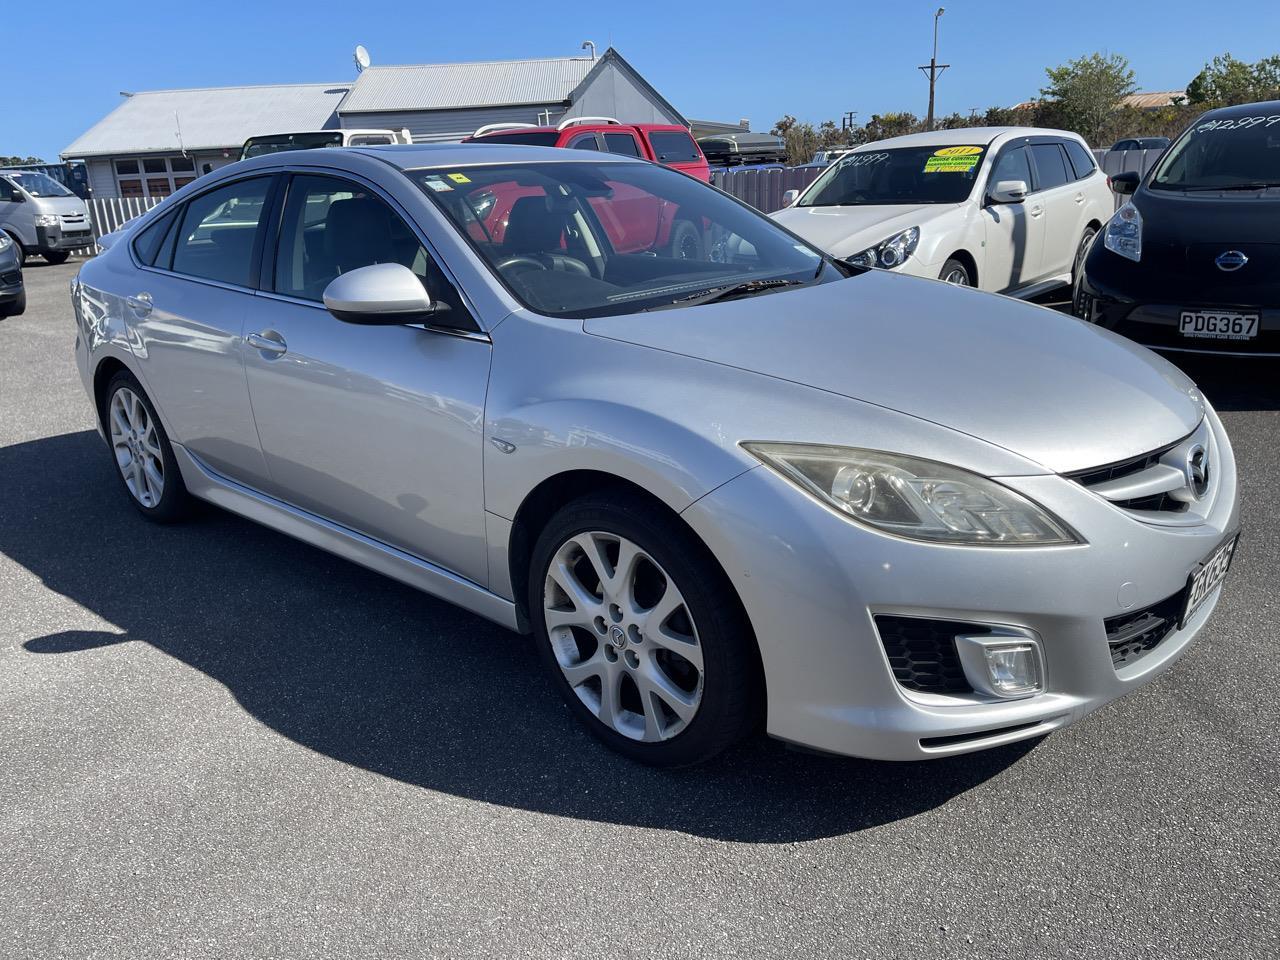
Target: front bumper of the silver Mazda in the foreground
813,583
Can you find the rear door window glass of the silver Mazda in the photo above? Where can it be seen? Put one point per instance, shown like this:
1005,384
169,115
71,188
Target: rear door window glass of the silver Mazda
220,231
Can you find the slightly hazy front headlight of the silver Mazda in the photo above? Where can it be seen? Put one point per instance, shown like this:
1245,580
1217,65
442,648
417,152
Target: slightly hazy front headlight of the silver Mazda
920,500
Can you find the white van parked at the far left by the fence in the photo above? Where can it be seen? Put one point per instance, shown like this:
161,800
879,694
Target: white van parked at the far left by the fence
43,217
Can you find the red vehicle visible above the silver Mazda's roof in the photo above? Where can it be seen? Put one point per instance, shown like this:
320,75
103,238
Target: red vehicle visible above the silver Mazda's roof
664,144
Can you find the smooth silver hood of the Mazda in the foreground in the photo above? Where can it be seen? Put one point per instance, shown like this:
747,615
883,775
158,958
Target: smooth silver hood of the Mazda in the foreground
1043,385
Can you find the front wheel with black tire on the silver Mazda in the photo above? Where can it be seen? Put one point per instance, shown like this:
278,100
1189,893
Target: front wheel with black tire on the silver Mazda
643,633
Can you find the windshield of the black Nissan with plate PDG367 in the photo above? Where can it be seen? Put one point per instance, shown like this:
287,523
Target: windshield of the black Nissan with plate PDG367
1241,153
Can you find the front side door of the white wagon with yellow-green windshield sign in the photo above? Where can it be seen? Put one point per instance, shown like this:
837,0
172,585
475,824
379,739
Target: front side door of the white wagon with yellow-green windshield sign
1014,232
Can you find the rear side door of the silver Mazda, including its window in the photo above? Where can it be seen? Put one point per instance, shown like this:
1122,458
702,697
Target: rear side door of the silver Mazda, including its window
188,304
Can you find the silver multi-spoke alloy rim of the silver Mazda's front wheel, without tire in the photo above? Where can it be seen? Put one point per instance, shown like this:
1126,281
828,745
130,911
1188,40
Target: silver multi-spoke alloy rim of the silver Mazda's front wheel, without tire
624,637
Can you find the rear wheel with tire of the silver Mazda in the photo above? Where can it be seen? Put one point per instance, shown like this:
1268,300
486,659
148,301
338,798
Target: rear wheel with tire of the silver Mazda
144,458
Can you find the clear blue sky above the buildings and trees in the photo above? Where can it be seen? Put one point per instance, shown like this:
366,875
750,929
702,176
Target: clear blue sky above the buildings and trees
714,61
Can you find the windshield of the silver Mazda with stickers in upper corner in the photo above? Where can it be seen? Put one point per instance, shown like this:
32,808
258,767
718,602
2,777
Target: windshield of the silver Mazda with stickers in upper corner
583,239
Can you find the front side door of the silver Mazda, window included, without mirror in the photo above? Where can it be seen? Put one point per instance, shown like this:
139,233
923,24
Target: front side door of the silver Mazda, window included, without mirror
377,428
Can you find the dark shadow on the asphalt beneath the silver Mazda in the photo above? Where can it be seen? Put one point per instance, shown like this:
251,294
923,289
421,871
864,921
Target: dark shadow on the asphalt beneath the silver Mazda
373,674
